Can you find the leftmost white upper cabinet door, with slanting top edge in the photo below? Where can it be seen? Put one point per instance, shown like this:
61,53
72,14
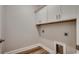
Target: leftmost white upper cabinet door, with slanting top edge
41,15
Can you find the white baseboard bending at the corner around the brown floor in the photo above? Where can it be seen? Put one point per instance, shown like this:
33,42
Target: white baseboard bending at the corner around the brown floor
29,47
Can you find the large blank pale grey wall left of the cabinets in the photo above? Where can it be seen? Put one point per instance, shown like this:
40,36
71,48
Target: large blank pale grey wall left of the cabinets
20,27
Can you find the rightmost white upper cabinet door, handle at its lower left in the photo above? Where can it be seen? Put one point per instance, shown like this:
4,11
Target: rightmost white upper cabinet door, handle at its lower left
68,12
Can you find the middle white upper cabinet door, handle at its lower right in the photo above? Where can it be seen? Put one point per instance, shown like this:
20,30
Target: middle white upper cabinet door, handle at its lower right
53,12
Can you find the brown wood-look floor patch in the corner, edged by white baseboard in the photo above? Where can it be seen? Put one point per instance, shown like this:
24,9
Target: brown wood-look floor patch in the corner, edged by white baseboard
37,50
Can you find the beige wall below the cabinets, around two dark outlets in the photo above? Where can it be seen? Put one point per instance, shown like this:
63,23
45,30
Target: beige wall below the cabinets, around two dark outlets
55,32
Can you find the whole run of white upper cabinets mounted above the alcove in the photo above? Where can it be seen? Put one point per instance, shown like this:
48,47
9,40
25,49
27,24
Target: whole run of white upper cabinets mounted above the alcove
56,13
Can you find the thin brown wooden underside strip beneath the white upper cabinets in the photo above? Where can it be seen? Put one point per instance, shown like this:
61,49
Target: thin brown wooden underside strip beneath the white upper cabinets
57,21
